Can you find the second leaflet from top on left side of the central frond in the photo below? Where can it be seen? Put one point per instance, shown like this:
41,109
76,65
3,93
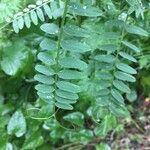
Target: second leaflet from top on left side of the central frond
48,44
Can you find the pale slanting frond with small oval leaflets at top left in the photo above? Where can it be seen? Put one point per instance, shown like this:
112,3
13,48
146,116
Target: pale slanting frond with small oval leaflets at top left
37,12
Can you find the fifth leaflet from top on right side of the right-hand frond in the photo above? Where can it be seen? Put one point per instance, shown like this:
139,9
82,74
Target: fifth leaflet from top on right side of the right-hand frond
124,76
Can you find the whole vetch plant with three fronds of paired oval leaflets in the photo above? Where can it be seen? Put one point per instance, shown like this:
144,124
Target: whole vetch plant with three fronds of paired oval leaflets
67,54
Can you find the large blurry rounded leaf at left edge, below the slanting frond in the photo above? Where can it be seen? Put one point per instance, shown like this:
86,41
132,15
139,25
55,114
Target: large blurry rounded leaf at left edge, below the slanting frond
15,58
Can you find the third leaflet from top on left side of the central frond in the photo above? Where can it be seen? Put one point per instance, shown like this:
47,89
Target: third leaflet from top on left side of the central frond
46,58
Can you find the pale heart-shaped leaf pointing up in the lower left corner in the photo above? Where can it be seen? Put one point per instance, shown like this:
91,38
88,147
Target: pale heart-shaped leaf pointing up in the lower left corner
17,124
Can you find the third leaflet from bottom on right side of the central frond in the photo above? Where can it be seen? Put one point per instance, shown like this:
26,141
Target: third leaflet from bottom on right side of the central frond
66,95
